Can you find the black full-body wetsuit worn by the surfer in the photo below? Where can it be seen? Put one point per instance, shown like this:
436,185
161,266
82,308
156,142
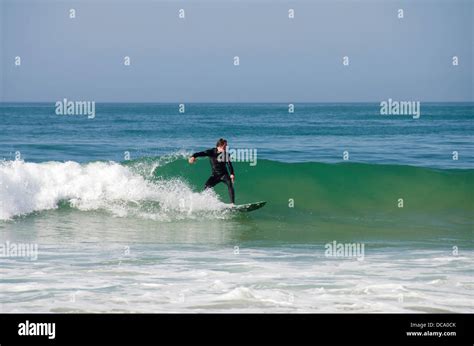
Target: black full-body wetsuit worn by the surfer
219,163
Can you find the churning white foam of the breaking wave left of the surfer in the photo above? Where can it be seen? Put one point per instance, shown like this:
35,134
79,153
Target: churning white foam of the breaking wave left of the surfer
28,187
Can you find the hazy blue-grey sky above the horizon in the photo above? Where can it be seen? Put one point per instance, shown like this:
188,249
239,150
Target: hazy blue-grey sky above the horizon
281,59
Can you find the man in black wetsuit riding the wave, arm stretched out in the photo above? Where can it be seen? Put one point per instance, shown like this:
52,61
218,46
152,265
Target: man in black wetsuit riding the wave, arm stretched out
220,160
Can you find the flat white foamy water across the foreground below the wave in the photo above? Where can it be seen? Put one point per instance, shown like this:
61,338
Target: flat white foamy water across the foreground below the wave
203,279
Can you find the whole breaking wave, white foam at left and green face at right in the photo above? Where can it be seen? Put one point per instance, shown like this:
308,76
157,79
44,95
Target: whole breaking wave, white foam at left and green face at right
168,188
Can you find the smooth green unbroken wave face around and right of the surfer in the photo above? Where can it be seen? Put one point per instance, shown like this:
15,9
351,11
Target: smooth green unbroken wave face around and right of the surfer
341,188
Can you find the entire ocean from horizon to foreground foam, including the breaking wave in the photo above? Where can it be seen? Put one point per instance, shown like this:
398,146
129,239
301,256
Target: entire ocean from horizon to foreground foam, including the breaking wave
365,212
